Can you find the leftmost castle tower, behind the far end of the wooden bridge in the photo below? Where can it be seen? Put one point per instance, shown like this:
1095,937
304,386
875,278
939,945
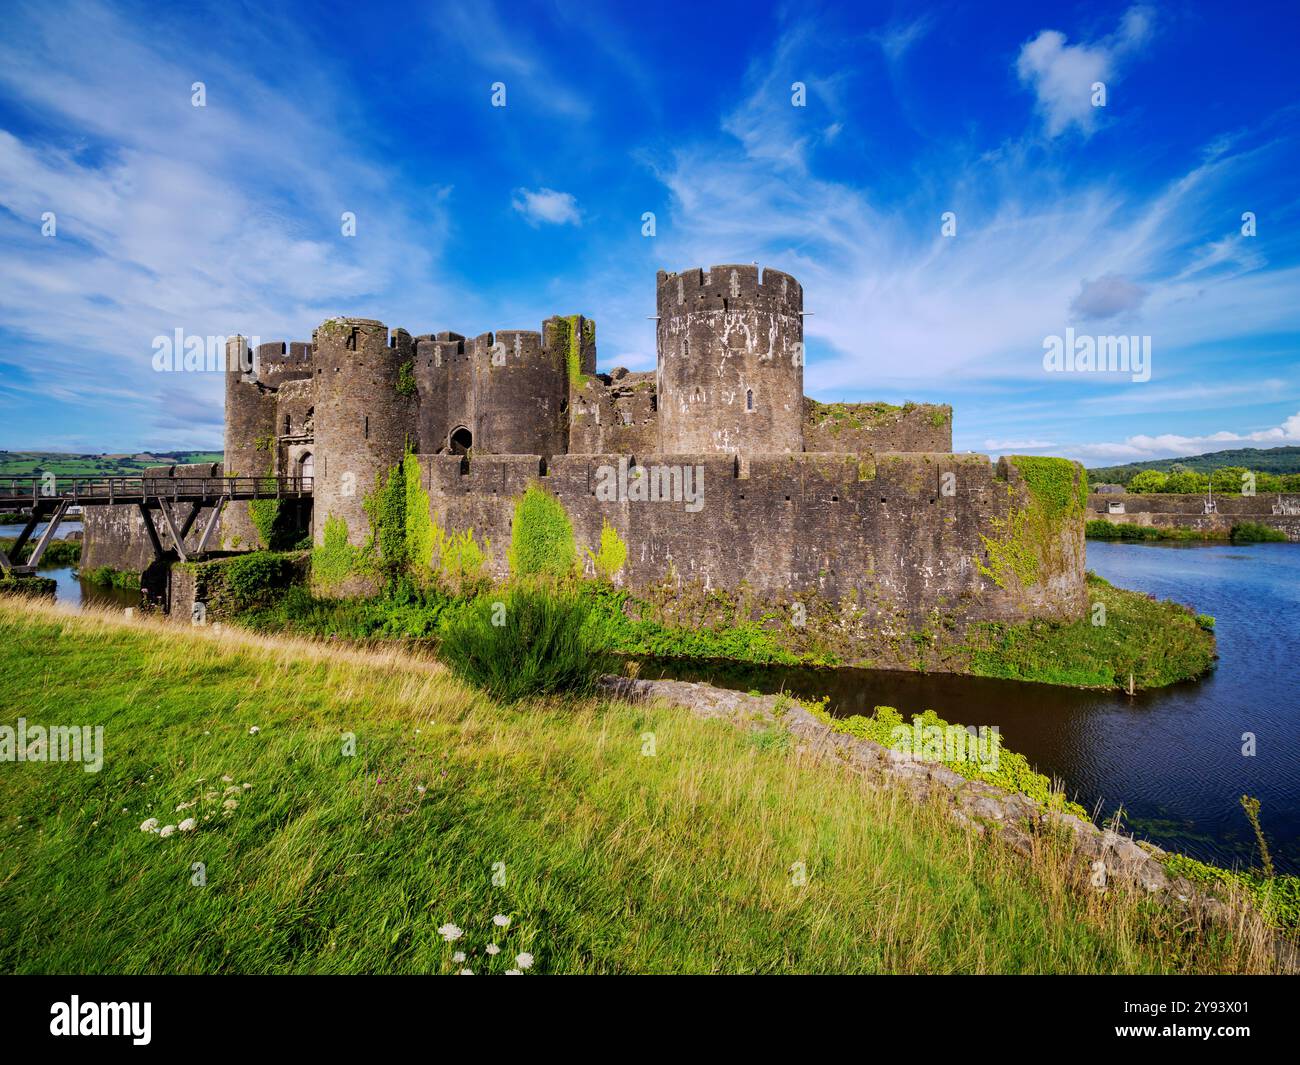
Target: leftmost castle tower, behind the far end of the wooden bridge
253,379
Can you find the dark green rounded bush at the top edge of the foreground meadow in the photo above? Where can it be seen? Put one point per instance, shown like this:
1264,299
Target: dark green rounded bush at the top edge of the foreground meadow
528,642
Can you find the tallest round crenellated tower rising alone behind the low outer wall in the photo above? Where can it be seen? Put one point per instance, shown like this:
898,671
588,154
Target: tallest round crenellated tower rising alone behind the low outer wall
731,361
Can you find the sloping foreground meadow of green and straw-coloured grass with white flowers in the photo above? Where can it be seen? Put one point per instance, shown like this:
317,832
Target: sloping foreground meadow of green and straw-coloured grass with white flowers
454,809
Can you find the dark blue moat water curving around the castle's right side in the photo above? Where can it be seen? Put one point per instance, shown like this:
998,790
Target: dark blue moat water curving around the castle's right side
1172,759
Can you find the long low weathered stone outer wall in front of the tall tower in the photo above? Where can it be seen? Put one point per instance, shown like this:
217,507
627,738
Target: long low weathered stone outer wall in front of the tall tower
874,530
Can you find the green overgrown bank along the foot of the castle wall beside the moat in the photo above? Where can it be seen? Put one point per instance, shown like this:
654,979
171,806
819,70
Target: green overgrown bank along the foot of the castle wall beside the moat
1159,643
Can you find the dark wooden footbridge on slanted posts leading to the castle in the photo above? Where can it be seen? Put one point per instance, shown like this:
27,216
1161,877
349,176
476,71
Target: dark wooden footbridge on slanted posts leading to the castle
50,499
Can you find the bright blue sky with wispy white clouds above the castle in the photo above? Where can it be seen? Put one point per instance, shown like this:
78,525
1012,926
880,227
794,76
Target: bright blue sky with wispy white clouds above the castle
1124,219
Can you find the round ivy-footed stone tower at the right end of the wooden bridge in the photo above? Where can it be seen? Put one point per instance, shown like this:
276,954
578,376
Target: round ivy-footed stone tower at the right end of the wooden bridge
365,418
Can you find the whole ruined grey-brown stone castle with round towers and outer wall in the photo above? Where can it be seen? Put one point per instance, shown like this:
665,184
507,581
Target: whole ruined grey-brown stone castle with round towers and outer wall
716,471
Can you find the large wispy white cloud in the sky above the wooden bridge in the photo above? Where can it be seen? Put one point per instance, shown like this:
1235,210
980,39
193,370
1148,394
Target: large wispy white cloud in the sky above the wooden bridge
215,220
